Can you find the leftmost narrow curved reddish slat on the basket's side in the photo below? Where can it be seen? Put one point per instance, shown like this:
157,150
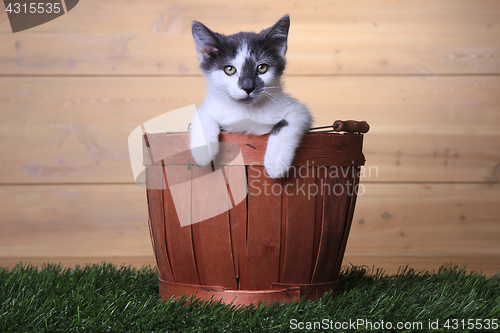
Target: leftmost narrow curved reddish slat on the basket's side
155,182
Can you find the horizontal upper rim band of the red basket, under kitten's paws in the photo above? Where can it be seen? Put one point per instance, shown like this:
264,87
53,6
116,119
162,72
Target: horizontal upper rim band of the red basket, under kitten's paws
316,149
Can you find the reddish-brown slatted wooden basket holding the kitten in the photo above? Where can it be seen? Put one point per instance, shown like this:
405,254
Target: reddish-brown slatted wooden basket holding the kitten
271,246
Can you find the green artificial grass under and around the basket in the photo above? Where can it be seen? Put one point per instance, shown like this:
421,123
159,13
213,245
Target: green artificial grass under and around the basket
104,298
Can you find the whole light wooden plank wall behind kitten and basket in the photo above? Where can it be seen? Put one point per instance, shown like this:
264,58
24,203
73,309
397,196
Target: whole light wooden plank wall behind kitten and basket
424,74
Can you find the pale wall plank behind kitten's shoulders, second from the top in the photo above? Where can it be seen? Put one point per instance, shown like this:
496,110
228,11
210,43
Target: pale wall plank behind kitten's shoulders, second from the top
423,129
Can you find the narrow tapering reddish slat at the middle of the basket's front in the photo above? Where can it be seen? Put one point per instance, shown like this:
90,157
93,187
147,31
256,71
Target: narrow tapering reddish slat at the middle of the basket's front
238,222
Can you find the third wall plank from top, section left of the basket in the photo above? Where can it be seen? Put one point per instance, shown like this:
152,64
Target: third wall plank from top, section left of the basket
74,221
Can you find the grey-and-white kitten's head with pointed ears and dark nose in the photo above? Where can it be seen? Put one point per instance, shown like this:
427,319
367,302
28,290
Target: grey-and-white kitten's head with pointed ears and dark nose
246,66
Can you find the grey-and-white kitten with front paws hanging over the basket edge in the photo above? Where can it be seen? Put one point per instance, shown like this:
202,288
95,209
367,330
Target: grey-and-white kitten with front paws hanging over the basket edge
245,94
